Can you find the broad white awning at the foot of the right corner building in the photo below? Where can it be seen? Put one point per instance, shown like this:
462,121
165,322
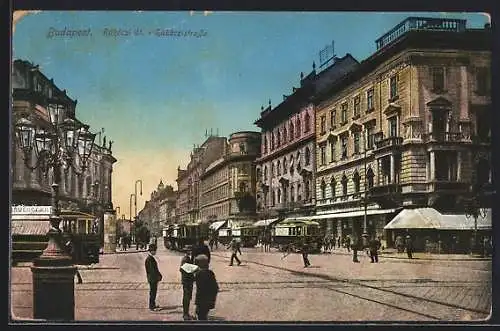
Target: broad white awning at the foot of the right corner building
429,218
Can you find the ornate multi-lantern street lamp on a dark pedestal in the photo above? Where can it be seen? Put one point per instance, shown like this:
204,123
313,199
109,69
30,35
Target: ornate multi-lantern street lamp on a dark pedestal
62,144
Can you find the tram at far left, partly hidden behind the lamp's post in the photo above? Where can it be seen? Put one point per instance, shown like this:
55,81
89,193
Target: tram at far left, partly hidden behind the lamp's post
29,236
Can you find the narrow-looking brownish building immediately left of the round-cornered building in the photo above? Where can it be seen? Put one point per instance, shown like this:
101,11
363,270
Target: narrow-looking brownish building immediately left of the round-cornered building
188,180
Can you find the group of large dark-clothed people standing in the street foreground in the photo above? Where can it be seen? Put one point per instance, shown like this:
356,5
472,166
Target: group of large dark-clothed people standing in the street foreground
194,268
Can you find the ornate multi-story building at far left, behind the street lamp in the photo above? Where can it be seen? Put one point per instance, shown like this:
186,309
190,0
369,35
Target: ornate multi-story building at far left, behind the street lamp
88,192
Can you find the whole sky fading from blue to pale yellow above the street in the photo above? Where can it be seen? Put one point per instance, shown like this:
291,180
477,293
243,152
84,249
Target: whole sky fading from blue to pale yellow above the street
155,95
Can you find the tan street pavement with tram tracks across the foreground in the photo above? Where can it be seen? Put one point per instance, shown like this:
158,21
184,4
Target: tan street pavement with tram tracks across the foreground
271,287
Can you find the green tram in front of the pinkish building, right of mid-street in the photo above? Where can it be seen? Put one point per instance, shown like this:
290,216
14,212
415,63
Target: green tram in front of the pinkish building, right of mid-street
294,232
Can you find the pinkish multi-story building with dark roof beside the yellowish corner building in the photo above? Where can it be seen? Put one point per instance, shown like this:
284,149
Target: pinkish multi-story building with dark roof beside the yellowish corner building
285,169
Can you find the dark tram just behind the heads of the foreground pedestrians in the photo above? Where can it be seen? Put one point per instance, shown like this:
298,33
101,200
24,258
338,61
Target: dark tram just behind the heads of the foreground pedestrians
184,236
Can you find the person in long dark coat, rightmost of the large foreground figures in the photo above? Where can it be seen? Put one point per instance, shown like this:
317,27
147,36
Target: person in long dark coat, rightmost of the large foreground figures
206,288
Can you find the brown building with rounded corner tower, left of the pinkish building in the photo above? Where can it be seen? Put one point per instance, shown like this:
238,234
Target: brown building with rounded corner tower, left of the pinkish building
227,190
